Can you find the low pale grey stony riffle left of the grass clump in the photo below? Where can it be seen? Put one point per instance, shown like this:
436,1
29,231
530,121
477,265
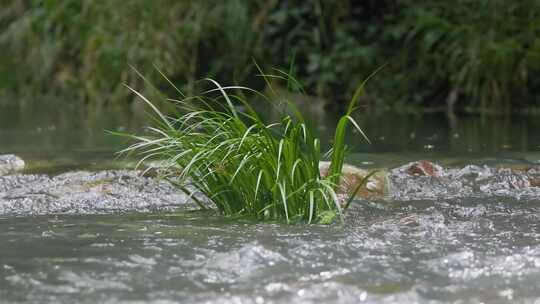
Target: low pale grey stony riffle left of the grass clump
86,192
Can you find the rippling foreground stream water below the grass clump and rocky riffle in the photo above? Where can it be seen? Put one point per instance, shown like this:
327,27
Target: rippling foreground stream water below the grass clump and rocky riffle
472,250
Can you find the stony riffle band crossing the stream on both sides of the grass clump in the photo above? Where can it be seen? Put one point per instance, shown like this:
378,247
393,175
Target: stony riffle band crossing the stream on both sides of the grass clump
108,191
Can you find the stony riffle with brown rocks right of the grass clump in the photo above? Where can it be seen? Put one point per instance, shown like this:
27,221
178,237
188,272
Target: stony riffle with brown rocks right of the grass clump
426,180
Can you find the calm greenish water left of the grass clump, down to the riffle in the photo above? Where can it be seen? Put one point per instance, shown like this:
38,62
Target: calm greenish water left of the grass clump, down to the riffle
65,136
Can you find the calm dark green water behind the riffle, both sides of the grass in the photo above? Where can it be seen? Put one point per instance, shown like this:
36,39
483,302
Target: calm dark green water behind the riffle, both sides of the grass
68,133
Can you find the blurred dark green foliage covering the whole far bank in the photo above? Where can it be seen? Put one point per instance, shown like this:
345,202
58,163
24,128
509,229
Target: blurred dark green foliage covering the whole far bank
482,54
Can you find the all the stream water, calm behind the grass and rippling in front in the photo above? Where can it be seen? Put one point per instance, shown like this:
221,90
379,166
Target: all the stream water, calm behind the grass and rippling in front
479,242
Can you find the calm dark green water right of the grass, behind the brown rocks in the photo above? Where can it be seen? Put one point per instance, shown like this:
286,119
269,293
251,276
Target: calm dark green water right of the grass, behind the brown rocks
439,133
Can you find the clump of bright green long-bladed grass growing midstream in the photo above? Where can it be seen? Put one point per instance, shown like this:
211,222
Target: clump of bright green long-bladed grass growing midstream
244,166
